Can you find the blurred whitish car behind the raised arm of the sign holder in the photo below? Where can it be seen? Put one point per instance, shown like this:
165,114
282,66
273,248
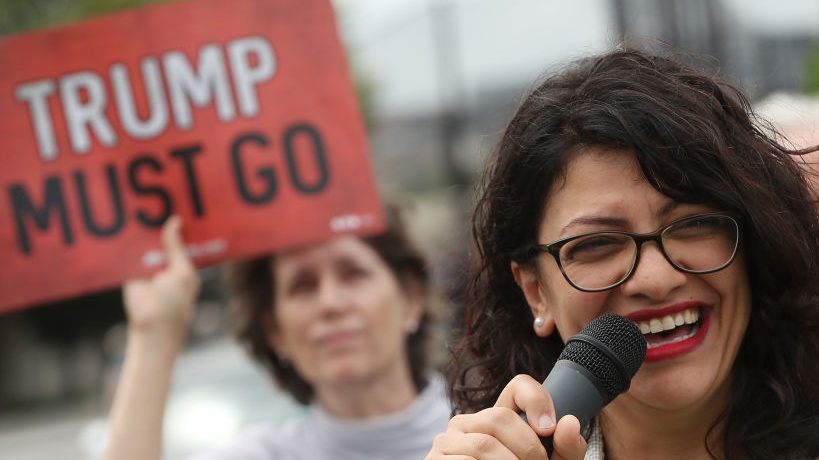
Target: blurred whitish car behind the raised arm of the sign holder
217,391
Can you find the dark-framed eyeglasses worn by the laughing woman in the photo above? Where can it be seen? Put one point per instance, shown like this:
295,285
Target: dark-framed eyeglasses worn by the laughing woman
596,261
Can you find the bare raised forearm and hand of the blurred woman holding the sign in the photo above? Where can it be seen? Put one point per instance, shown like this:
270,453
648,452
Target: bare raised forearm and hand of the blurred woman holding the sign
159,311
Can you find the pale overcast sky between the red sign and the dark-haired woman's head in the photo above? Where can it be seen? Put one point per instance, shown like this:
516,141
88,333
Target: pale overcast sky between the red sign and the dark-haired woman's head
496,44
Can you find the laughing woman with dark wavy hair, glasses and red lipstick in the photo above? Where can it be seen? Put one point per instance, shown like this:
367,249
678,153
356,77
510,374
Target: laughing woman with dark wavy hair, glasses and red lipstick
632,183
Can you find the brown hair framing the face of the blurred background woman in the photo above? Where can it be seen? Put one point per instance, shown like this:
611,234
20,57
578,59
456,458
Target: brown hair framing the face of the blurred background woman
252,285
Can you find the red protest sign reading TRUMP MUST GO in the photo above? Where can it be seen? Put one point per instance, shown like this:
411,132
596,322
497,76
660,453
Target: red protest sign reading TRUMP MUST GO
240,116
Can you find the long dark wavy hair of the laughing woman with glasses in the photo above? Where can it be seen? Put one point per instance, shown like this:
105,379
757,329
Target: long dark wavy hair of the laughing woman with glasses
696,140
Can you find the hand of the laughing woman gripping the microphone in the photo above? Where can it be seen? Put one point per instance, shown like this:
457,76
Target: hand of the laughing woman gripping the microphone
501,433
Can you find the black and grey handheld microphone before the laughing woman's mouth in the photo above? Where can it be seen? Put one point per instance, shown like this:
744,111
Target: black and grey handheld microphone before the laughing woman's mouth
595,366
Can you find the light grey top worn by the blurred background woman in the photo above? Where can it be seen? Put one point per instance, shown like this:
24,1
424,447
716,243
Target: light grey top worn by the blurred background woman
406,435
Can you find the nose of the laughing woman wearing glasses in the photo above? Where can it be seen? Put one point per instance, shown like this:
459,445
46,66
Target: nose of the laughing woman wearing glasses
654,276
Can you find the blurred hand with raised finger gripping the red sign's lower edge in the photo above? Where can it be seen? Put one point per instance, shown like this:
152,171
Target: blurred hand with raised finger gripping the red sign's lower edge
163,304
